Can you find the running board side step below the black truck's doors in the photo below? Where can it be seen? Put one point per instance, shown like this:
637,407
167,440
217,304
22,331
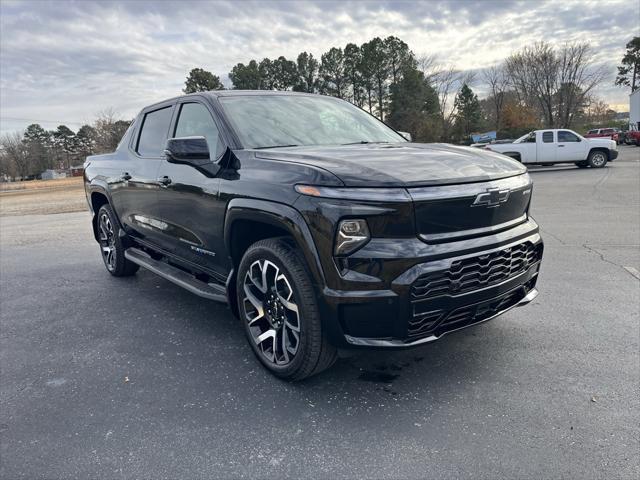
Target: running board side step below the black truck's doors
181,278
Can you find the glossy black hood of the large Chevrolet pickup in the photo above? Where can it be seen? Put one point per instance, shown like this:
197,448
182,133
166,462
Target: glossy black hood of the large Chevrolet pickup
400,164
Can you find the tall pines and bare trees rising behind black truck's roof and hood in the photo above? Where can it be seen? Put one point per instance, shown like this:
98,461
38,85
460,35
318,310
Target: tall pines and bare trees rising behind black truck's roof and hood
539,86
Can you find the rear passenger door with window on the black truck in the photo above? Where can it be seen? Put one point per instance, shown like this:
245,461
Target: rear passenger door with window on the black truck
135,194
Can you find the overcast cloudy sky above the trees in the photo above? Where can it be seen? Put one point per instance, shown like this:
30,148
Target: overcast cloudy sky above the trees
63,62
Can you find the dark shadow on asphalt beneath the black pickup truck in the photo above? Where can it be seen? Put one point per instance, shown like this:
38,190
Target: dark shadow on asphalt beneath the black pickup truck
207,331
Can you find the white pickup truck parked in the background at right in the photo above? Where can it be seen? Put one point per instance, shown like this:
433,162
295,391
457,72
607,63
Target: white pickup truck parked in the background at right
559,146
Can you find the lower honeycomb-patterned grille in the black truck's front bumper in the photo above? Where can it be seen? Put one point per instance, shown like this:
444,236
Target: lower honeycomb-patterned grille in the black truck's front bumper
477,272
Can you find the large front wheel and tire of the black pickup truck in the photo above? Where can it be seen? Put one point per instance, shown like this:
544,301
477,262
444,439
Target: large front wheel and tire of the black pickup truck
279,311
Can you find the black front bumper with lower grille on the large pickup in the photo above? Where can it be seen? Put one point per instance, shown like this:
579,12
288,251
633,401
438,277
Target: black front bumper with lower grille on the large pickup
486,284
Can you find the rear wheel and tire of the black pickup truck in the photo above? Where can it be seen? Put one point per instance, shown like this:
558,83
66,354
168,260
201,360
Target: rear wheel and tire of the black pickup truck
111,246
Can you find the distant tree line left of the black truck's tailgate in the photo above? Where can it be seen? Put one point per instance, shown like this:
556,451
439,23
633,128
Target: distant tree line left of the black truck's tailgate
28,154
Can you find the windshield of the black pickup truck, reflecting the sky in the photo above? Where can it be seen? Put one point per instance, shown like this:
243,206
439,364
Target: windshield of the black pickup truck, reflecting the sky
266,121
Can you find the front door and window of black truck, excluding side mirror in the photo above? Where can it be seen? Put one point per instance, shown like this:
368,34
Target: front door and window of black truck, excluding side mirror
189,199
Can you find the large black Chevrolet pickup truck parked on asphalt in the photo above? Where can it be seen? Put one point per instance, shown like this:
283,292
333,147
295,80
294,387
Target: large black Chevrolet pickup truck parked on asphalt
320,226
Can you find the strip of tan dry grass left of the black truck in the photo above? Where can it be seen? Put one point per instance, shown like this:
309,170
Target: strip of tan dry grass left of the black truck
42,197
